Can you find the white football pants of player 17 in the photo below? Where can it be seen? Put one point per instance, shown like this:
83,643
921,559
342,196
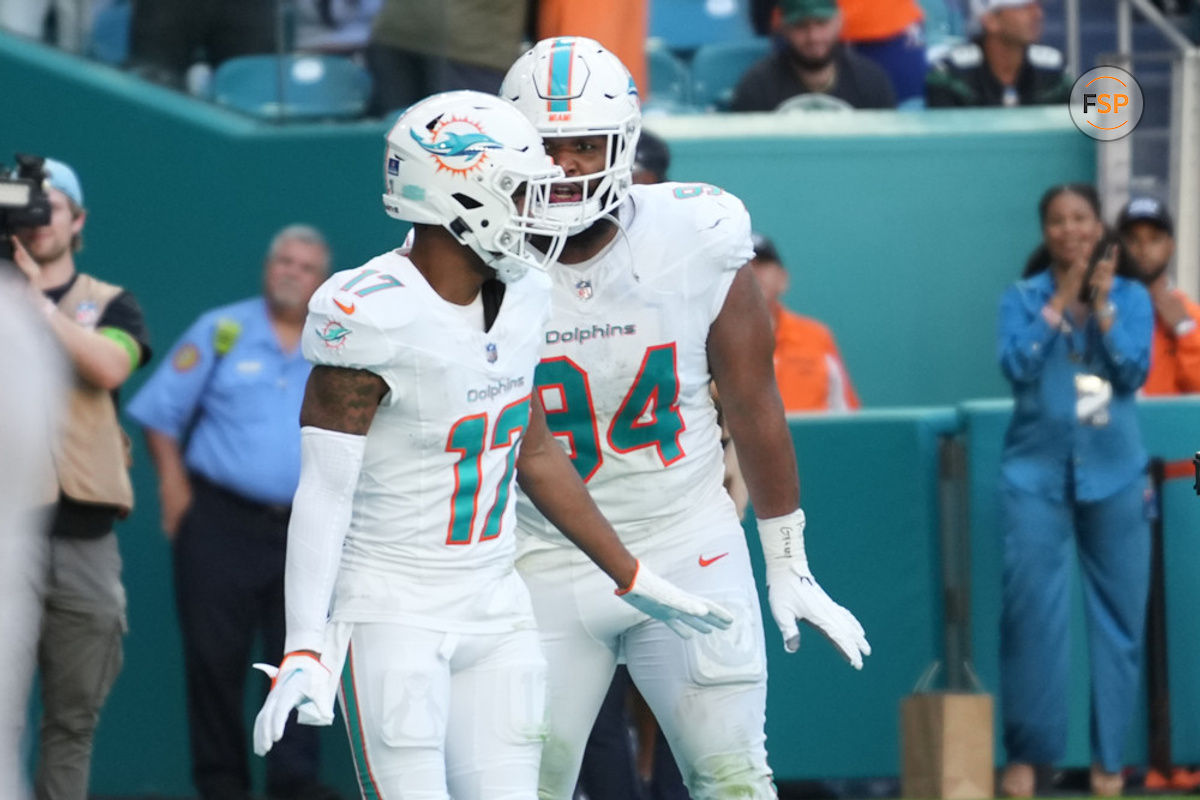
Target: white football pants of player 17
434,715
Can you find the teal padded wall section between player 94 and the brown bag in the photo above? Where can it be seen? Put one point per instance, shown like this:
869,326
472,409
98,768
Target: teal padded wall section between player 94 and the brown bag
869,489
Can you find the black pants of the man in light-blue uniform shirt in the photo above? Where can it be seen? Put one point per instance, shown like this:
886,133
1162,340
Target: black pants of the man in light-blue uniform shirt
230,557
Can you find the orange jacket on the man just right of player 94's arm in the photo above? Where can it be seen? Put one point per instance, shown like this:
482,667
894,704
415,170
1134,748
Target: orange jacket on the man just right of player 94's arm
809,370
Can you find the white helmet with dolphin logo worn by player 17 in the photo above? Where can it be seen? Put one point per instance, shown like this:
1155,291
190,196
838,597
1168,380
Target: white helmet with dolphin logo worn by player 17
457,160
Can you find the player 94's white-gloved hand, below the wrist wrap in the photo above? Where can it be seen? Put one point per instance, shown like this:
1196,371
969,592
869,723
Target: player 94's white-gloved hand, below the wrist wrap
795,597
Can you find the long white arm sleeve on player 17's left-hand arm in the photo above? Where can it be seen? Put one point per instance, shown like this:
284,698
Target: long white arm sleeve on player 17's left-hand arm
321,516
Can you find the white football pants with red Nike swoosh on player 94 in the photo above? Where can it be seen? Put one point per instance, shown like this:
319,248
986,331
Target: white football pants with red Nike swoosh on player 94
709,693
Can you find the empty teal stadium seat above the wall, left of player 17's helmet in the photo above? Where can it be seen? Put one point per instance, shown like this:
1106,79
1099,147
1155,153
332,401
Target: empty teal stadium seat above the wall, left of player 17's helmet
293,87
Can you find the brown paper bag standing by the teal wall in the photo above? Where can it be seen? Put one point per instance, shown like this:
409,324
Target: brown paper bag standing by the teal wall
946,744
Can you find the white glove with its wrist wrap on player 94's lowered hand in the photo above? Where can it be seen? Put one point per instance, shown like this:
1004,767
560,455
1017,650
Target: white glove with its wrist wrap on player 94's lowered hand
794,594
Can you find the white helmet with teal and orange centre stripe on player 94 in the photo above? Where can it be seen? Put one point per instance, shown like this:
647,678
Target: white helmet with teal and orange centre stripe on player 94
573,87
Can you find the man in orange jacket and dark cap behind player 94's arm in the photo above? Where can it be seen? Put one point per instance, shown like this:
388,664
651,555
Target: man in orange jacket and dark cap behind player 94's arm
809,369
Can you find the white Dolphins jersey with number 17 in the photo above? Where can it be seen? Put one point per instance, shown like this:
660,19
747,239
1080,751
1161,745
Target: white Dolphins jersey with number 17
431,539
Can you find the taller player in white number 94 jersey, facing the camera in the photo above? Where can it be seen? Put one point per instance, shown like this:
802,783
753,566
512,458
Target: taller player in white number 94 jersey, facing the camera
651,305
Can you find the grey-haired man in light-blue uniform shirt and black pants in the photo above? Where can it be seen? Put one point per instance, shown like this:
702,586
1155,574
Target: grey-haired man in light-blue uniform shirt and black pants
223,424
